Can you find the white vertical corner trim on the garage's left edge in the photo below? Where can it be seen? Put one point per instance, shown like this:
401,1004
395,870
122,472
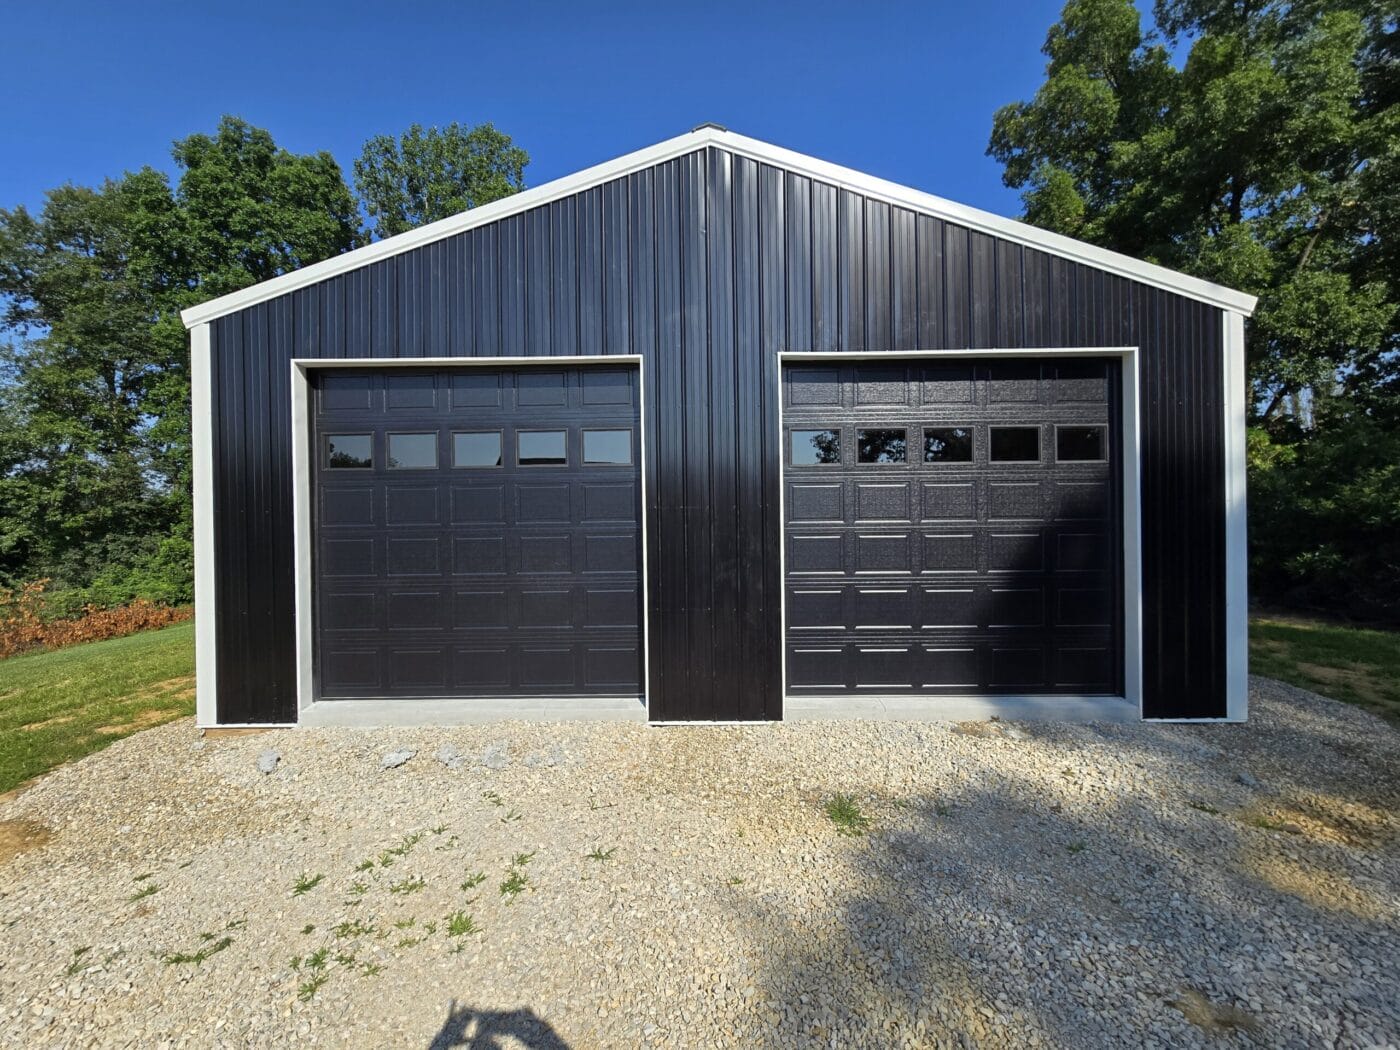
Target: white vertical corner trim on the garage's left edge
206,597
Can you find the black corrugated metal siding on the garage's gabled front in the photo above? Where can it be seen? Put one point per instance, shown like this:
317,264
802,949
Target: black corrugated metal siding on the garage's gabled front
709,267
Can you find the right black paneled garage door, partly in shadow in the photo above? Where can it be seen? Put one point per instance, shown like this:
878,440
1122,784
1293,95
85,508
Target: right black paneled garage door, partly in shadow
954,527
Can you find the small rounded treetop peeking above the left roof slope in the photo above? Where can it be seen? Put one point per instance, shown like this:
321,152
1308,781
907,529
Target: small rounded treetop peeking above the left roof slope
426,176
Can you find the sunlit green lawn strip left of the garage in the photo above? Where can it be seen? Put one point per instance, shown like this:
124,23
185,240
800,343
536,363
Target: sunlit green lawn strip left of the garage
59,706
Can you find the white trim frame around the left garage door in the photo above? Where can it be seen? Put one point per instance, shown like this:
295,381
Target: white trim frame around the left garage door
472,709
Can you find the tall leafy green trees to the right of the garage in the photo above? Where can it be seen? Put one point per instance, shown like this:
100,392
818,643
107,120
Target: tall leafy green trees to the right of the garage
1256,145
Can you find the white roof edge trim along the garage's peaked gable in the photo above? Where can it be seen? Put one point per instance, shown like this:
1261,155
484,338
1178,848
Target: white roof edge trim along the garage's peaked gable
754,149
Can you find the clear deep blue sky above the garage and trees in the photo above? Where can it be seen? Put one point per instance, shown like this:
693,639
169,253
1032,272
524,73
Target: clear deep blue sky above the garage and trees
902,90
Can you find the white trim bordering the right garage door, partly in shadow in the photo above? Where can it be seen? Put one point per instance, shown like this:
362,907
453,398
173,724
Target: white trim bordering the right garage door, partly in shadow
1132,533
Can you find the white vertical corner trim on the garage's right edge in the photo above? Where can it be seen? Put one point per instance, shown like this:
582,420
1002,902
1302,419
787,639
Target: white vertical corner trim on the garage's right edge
1237,533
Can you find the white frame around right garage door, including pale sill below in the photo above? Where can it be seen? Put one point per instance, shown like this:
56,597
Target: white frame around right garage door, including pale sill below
1126,708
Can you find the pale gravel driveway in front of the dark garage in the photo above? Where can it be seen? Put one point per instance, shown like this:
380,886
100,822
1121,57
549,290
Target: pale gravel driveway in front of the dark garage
619,885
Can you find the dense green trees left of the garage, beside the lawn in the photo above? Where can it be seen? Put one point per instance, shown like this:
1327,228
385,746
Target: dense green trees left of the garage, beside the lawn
94,373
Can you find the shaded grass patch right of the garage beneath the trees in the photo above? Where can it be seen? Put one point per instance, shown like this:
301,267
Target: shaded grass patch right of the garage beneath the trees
1360,667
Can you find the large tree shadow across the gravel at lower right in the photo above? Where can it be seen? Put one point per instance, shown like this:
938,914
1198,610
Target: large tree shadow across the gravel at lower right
996,916
